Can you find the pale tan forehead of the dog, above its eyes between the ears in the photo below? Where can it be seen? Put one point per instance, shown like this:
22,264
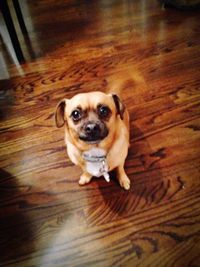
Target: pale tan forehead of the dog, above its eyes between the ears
90,101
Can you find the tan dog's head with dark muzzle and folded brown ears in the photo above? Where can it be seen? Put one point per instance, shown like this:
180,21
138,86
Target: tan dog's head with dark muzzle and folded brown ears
90,118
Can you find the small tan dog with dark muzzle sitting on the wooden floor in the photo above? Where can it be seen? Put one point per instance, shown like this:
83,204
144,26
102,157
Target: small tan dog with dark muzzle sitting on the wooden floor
96,134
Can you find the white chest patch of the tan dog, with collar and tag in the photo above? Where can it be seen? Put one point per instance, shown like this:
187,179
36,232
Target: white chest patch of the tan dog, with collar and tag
96,163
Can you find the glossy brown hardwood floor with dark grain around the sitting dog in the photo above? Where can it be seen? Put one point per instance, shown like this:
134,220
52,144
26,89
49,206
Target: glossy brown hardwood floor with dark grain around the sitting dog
46,218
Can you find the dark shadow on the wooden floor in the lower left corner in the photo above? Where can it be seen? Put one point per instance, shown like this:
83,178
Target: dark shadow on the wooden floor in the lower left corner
16,229
